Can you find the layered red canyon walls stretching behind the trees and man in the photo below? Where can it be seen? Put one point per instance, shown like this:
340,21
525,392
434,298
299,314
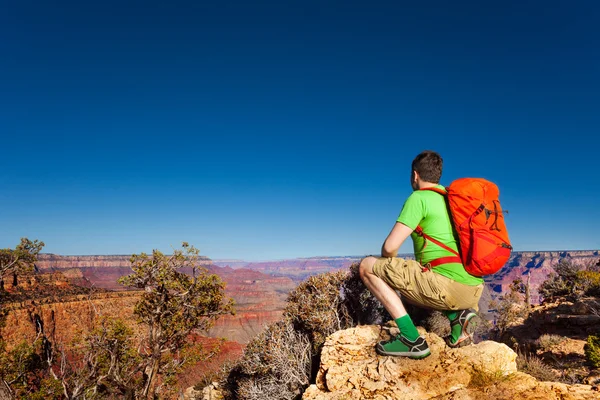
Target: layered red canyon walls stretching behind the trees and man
65,293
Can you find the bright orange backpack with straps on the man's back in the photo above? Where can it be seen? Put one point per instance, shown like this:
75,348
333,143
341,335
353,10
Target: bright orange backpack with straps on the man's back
479,222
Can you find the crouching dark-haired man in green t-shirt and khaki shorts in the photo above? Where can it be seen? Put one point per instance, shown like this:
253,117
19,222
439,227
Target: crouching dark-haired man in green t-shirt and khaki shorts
446,287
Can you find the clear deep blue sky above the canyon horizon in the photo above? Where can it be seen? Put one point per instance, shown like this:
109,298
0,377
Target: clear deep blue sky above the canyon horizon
279,129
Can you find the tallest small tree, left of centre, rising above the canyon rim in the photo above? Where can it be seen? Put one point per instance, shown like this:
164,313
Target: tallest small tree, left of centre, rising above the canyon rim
172,306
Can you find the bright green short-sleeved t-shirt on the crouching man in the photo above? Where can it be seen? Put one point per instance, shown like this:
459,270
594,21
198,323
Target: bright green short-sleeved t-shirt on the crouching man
428,209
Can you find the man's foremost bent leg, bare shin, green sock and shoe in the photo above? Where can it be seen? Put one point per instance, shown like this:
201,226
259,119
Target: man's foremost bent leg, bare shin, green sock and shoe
408,343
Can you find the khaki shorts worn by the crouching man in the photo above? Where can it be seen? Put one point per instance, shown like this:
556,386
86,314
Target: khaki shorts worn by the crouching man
425,287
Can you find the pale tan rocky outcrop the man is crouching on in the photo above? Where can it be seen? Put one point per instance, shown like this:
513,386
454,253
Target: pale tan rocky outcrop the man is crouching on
350,369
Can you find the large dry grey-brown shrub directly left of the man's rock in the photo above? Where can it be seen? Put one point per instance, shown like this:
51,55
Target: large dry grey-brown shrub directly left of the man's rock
282,361
